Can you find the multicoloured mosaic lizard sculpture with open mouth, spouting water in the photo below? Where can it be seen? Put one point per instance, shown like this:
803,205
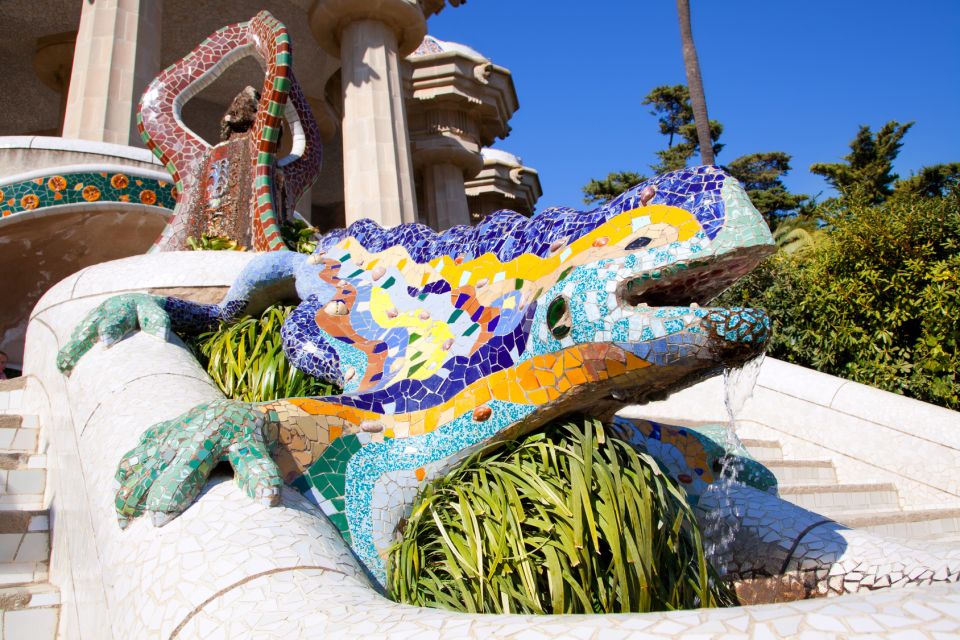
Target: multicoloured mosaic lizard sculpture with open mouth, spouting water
445,343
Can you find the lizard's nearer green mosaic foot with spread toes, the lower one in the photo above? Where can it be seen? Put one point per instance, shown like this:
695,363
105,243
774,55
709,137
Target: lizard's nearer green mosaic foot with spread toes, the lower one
164,473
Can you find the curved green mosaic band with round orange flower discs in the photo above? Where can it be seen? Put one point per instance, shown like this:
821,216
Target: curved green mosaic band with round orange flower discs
82,188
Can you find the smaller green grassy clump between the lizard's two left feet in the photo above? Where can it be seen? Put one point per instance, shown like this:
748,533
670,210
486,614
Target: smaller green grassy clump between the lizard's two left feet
247,362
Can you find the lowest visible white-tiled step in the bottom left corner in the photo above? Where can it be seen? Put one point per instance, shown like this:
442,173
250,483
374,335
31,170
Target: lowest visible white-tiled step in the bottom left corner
29,611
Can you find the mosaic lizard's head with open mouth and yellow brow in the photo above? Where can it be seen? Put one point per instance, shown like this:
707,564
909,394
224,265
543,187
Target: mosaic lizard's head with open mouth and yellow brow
633,306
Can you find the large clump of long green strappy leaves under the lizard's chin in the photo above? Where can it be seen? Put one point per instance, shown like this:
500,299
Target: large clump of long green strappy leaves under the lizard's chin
566,520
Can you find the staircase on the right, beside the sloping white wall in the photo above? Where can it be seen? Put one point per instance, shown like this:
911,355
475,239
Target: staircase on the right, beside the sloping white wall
876,507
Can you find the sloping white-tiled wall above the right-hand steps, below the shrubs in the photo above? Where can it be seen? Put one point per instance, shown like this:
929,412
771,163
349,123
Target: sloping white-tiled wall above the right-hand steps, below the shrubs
864,431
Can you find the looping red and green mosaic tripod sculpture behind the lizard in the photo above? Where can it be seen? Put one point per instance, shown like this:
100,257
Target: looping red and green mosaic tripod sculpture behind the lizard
265,189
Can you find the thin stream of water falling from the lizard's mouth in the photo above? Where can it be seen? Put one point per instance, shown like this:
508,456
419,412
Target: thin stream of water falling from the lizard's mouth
720,525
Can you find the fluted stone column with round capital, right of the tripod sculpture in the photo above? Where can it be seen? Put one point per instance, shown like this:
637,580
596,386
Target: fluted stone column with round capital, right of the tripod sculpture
371,37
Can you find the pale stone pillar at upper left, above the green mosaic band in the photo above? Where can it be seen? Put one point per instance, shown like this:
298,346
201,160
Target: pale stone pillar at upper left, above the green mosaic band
117,55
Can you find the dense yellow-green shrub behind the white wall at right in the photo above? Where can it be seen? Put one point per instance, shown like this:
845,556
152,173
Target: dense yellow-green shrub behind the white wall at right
875,300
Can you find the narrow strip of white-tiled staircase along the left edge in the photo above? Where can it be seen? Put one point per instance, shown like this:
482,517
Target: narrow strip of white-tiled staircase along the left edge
29,604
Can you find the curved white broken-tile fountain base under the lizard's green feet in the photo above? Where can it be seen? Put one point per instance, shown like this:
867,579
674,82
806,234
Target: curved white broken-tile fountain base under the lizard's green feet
230,567
